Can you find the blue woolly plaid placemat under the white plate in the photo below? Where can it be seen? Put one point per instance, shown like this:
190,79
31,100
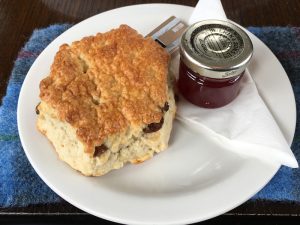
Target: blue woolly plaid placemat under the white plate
21,186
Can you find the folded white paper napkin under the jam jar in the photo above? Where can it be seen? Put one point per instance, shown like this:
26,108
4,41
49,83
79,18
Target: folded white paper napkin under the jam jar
244,126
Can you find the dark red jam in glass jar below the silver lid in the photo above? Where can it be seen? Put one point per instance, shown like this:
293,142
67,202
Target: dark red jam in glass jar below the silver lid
207,92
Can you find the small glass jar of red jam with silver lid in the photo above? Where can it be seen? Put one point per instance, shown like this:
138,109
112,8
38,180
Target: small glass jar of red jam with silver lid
213,57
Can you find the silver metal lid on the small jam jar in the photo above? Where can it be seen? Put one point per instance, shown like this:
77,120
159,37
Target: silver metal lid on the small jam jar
216,49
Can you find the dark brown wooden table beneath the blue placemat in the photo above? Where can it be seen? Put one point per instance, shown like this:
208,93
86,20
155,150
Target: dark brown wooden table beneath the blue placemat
18,18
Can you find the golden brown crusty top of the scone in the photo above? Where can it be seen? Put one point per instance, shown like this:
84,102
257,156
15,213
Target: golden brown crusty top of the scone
103,84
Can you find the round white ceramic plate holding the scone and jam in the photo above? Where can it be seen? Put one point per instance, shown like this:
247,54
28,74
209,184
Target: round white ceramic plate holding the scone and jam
193,180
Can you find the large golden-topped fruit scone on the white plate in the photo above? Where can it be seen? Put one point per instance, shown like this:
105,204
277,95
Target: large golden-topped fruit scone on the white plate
107,101
